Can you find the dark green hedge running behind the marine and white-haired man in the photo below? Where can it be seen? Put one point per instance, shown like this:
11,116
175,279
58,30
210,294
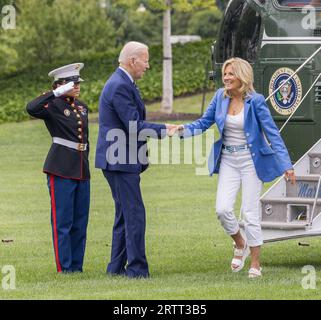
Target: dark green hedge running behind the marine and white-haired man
188,77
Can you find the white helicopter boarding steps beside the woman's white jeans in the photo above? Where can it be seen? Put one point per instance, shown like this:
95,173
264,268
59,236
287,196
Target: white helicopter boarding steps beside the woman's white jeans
286,209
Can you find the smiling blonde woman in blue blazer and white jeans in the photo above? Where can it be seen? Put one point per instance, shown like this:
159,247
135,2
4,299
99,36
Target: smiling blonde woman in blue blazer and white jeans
249,152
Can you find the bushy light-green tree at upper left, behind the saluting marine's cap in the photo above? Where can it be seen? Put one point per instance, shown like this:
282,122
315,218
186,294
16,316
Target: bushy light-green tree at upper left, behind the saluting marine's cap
55,31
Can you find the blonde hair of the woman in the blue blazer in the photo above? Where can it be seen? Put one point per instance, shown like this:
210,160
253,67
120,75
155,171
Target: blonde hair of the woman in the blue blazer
244,72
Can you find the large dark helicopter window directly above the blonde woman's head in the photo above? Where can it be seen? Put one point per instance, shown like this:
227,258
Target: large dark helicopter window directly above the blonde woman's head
239,35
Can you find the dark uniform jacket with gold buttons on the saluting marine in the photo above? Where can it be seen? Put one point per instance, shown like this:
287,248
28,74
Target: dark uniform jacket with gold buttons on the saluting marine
65,118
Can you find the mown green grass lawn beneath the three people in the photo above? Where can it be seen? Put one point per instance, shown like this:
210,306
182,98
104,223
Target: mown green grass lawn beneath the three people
188,253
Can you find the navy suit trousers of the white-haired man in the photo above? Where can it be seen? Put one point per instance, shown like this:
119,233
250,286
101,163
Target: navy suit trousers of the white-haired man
128,242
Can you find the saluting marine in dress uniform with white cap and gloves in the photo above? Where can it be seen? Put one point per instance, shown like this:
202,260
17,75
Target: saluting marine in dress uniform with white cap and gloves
66,165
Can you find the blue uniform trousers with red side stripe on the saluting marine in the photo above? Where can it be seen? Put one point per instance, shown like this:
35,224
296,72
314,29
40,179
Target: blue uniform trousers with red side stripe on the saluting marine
69,218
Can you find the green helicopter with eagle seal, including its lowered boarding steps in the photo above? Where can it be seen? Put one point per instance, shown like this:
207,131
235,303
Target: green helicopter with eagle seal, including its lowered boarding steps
281,39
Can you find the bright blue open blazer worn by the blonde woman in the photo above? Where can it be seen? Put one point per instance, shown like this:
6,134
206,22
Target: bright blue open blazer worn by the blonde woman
271,159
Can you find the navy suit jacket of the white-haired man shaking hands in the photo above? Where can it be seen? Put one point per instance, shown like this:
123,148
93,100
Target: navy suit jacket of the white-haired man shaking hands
119,104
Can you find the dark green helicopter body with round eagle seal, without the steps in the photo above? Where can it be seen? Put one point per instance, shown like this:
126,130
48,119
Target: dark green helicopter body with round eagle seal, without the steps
278,37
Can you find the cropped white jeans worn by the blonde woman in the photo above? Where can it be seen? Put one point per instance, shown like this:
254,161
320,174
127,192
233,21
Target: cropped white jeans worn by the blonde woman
235,169
